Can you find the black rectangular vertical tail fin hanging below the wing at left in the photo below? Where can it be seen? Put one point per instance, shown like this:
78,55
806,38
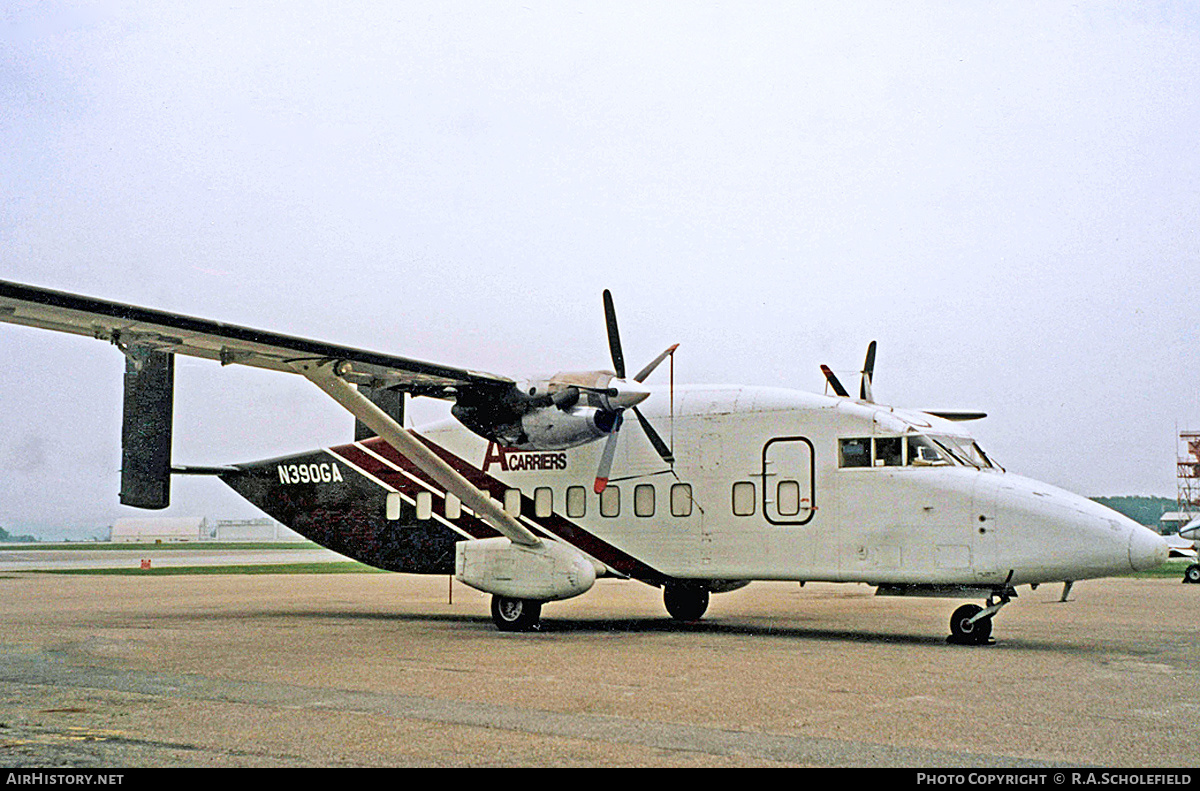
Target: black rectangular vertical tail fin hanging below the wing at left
146,428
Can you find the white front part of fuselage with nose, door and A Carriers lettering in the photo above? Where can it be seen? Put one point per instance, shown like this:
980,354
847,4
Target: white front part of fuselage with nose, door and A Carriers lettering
765,488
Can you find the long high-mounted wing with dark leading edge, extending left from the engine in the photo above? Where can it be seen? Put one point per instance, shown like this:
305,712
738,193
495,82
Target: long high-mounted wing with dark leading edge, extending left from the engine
133,327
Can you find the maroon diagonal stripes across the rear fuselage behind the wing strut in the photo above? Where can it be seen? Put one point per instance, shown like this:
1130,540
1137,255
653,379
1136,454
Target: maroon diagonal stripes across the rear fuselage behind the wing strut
554,525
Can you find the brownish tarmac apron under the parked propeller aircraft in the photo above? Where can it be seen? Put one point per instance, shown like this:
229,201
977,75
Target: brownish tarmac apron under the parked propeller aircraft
345,670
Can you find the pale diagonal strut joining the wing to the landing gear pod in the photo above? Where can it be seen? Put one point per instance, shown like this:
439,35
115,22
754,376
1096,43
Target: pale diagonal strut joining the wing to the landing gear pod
323,375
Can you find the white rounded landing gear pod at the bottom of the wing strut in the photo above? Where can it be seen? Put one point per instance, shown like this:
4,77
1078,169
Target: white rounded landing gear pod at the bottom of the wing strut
545,573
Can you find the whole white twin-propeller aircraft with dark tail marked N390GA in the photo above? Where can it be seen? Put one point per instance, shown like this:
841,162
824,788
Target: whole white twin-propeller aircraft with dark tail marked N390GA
536,489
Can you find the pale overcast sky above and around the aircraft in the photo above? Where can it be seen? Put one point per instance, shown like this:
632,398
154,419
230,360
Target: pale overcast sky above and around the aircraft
1005,196
